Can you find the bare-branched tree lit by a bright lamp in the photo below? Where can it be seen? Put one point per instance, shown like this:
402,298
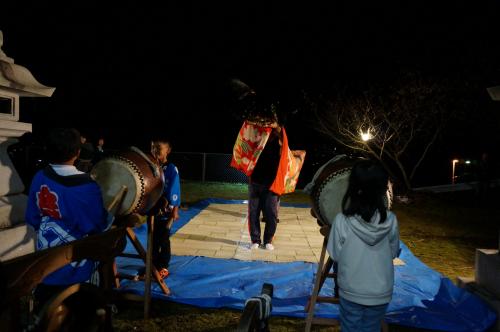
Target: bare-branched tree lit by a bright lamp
397,124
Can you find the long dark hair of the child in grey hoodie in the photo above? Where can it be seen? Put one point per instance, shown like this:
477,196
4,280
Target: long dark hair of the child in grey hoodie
366,191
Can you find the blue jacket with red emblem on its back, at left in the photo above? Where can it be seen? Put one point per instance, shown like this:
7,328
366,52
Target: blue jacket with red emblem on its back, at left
63,209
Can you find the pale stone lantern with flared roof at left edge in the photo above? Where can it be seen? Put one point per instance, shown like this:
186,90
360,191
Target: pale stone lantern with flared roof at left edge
16,238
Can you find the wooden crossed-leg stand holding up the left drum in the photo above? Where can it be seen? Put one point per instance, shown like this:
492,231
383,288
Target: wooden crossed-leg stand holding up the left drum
146,256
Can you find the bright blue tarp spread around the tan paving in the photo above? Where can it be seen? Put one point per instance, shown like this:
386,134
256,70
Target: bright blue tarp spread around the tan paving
422,297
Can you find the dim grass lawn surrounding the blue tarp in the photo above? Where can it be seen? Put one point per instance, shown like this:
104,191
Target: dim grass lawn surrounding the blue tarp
441,230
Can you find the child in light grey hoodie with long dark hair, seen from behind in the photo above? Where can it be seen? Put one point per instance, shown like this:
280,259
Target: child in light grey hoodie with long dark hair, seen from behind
364,240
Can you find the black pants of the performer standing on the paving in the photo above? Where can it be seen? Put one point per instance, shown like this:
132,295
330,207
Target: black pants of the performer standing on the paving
262,198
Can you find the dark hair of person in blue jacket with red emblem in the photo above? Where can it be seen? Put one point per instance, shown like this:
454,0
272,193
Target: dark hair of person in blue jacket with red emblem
63,144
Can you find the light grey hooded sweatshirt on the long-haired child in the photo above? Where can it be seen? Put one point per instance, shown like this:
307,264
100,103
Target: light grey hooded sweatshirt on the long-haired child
364,253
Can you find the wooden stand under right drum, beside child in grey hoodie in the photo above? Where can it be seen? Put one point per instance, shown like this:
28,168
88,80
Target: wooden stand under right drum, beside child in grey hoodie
322,273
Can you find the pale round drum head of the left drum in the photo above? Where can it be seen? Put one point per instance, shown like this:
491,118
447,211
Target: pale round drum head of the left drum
111,174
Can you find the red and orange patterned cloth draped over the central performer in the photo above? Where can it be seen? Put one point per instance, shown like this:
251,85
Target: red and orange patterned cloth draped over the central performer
249,144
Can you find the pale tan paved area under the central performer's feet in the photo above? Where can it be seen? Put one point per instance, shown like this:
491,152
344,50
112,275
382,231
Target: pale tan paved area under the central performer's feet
221,231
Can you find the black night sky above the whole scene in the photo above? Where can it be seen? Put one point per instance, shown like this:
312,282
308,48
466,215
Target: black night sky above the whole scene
132,69
